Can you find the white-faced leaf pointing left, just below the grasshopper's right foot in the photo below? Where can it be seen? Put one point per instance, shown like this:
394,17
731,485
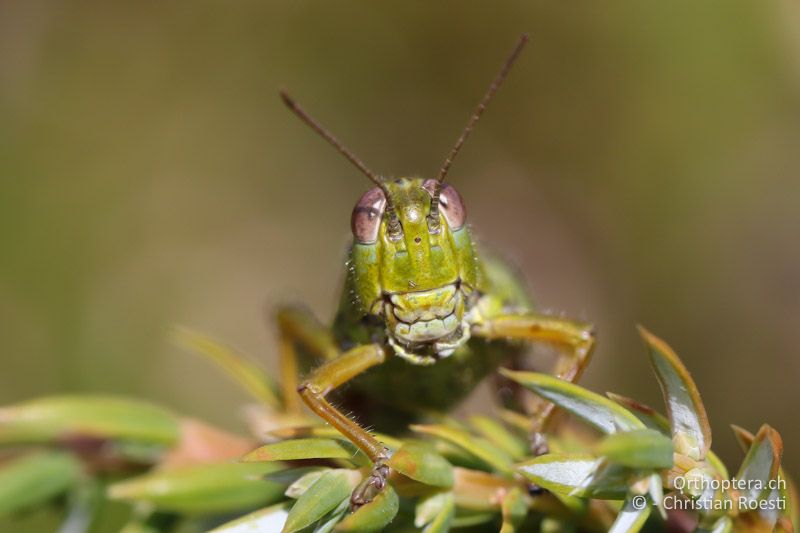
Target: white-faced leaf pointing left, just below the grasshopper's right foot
577,475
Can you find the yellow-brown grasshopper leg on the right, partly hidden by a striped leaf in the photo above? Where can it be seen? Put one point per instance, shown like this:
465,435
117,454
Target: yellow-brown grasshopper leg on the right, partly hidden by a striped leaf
576,337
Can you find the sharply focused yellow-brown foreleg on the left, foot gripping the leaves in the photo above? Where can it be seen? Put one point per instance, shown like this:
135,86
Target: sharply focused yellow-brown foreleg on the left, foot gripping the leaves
326,378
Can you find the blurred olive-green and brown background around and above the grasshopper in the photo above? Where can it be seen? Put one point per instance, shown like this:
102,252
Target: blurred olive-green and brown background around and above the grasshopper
640,166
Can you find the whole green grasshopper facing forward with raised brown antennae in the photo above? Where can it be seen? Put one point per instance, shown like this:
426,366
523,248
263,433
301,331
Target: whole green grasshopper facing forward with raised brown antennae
421,310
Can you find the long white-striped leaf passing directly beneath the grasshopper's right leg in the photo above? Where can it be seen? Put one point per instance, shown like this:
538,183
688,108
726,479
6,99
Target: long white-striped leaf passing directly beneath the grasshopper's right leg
593,409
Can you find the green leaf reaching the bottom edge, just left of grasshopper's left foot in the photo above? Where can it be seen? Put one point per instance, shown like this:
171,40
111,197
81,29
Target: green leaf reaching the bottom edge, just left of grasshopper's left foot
324,495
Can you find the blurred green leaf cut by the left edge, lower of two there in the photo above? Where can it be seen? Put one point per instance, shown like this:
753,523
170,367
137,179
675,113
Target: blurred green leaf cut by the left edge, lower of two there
33,479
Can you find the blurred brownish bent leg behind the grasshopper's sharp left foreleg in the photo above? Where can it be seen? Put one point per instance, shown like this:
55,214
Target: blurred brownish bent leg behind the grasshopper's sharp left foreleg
297,326
